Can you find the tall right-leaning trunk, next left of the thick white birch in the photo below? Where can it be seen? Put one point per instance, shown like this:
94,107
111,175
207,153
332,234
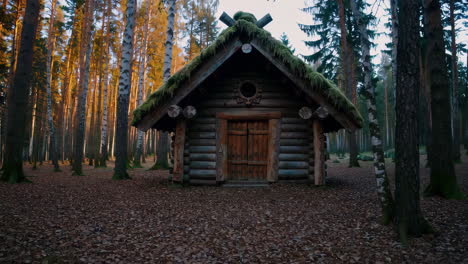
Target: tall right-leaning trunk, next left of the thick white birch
80,121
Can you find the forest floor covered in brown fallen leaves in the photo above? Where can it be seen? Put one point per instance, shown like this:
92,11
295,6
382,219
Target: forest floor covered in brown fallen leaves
93,219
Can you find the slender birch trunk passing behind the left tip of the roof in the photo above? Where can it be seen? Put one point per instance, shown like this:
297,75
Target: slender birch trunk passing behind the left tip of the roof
141,83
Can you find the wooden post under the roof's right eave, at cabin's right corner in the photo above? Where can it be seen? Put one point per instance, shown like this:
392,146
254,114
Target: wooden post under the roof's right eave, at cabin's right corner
319,153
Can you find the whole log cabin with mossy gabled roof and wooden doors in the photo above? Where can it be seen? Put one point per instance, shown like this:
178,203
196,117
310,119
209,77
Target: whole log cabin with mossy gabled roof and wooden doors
247,109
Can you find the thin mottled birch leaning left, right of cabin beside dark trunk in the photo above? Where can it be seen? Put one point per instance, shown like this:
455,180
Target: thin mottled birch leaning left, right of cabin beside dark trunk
383,187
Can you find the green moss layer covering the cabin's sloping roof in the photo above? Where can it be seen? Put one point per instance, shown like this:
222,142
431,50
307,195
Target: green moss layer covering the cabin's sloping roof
245,25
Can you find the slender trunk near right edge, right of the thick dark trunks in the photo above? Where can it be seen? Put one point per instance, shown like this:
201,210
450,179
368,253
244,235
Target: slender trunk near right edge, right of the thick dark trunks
456,111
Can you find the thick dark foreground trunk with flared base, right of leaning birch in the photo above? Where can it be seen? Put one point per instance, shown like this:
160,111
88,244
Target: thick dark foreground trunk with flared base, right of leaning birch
409,218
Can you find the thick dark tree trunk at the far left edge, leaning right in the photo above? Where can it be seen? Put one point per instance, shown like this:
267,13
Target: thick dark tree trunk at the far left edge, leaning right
12,170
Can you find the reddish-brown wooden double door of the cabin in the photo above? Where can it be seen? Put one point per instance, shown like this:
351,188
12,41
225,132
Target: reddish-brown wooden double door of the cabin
247,143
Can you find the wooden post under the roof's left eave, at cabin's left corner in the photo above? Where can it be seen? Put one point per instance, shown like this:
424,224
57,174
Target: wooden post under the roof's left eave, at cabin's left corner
179,144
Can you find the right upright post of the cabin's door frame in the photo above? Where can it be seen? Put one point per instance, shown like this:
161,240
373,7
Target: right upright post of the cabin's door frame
274,127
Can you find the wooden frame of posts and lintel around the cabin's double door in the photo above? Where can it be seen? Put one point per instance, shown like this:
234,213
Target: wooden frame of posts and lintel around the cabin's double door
274,131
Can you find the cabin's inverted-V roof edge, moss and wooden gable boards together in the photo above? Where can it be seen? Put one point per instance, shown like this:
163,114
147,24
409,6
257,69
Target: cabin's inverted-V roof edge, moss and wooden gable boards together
188,78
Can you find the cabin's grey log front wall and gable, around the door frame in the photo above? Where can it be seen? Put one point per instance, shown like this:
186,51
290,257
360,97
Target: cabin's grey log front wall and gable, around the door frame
218,94
